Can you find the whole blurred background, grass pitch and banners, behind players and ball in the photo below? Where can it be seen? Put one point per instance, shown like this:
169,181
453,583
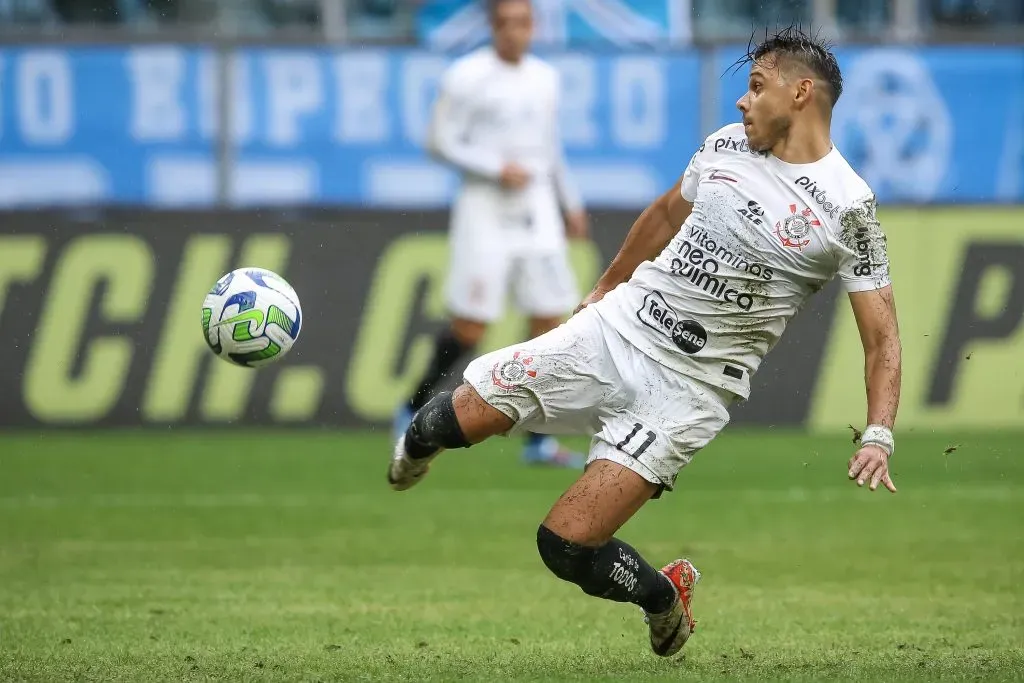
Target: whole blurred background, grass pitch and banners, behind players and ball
149,147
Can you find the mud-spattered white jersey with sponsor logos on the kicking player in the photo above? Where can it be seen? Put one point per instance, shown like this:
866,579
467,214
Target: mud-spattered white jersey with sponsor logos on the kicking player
763,237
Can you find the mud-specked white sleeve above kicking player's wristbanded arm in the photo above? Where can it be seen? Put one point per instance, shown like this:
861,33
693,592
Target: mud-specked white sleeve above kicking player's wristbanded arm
864,259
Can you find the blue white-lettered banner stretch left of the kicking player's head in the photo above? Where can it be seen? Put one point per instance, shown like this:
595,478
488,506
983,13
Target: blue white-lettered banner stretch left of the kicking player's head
140,125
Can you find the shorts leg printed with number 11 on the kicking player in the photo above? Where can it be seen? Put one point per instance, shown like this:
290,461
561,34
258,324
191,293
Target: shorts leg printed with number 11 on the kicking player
670,419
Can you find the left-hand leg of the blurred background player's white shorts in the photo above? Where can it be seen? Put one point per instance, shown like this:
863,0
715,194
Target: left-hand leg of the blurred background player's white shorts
478,281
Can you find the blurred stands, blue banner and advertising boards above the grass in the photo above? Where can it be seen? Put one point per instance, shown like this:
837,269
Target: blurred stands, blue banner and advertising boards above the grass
149,146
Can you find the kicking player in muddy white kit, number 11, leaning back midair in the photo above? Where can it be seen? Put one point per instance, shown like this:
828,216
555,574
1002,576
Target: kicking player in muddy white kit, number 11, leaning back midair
765,215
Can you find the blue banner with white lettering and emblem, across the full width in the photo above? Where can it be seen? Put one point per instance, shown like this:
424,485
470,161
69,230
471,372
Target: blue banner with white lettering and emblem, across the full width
139,125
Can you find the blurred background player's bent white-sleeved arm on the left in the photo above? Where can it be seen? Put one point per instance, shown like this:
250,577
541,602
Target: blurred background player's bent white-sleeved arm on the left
451,136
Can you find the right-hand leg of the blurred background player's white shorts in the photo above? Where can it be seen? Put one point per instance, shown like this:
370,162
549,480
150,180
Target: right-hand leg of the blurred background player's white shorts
545,285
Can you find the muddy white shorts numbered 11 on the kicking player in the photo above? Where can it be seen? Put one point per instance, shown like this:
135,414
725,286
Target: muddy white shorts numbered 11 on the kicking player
584,378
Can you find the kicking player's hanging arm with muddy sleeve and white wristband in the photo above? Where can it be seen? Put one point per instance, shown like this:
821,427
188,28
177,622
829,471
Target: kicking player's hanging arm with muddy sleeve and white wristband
865,273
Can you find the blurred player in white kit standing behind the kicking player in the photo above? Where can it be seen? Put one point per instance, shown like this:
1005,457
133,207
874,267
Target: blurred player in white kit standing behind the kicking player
496,121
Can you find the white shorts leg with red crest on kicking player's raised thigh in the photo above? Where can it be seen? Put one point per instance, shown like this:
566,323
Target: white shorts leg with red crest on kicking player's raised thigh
553,385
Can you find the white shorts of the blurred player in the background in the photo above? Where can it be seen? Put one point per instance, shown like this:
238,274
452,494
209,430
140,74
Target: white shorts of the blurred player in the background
480,283
